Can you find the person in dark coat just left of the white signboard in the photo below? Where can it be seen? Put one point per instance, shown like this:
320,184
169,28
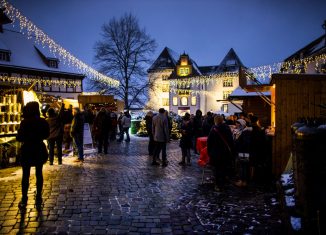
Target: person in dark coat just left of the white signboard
77,134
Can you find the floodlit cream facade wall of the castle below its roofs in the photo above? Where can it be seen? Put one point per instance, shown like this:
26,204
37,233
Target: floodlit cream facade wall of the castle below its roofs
209,98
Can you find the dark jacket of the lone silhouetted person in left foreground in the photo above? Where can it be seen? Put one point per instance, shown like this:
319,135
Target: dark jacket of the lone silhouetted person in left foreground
32,132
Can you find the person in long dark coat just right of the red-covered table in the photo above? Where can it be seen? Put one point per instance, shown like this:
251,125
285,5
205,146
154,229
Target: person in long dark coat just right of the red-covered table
220,151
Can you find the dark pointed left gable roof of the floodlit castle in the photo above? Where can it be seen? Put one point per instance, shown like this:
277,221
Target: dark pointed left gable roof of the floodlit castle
166,60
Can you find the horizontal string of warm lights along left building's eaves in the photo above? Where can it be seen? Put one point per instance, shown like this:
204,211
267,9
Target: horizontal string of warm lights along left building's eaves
40,81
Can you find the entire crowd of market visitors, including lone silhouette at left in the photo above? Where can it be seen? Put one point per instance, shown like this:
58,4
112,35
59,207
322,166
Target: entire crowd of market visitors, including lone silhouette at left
236,145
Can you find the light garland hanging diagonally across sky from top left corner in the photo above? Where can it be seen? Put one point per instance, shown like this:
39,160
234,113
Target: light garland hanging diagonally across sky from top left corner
40,37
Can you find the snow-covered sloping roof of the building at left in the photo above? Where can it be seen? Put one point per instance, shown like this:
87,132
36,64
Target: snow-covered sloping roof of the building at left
24,55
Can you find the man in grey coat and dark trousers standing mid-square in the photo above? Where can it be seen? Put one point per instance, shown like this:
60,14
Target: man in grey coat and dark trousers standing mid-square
160,130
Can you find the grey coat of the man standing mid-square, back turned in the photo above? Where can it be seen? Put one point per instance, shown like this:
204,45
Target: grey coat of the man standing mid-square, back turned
160,128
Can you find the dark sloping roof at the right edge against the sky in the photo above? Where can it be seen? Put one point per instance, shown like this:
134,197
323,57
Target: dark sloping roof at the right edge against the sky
314,48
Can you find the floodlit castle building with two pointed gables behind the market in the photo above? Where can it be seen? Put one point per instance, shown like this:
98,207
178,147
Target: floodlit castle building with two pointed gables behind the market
179,85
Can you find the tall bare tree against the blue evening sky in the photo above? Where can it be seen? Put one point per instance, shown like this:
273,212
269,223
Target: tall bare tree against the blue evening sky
124,53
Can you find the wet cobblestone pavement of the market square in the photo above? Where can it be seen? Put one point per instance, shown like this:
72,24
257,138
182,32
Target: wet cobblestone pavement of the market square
121,193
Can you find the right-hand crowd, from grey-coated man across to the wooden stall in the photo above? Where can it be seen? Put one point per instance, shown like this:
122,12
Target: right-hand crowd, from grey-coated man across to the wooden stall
236,145
